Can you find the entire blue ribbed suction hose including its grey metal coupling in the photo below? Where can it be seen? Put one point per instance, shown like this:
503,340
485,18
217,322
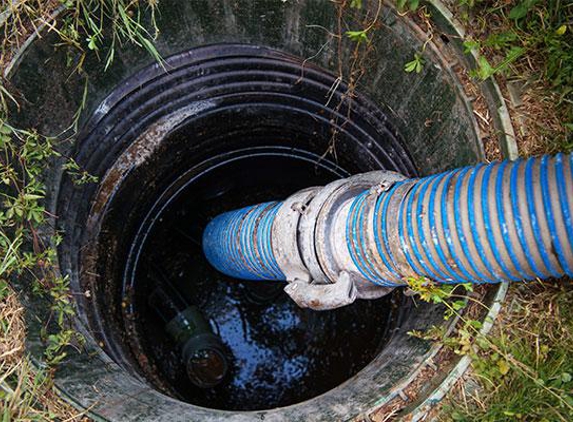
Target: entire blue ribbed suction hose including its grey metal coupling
364,235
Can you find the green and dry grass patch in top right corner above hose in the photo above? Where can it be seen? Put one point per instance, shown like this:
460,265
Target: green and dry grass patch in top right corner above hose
528,43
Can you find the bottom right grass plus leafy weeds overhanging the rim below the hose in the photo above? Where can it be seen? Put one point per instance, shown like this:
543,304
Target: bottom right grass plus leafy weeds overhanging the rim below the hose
522,370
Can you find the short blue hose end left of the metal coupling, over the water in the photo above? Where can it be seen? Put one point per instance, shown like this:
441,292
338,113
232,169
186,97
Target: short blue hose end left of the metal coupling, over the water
238,243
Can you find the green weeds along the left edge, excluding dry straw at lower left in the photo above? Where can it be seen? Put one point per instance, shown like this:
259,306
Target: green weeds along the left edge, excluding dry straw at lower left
26,154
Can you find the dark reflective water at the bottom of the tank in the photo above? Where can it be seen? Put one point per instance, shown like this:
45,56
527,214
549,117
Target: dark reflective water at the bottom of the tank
278,353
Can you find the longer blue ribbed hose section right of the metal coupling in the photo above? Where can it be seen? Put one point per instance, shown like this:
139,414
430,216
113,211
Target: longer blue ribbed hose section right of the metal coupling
490,223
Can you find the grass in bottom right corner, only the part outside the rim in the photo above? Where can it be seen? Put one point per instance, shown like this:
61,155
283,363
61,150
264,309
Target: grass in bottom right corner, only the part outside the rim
524,370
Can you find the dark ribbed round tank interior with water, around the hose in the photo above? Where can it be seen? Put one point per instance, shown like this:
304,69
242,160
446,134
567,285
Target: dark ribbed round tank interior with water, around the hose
262,134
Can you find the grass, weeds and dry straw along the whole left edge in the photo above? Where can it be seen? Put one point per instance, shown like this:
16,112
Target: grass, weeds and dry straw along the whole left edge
26,392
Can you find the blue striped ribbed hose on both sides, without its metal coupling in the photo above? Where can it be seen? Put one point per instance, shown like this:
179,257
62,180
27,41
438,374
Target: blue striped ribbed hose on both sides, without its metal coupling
505,221
